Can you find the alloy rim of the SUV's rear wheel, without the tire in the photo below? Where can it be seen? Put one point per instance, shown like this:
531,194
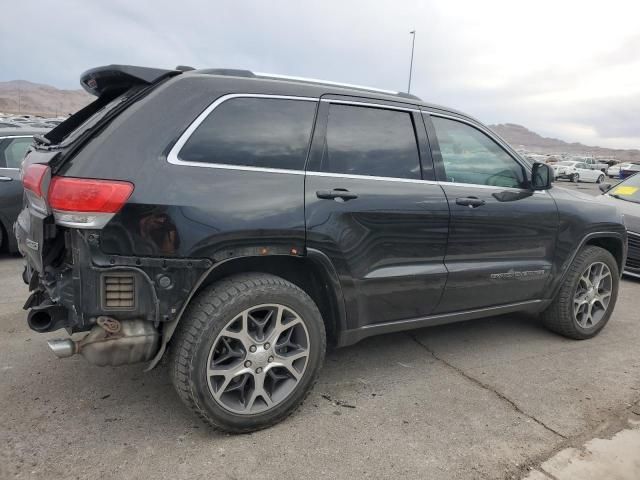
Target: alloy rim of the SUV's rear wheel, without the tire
258,359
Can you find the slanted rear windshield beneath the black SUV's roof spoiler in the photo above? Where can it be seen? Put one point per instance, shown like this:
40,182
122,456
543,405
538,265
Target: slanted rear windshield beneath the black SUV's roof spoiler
90,116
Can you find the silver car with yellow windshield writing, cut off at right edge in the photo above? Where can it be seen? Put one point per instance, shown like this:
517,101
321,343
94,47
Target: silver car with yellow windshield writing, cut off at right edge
626,196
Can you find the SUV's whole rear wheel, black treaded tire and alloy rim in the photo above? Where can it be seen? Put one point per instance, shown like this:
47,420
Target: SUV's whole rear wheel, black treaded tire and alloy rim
248,352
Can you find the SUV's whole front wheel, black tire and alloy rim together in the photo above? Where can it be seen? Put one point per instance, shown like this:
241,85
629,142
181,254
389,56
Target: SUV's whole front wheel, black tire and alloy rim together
586,300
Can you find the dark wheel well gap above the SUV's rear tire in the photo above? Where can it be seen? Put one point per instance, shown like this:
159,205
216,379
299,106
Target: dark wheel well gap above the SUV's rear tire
301,271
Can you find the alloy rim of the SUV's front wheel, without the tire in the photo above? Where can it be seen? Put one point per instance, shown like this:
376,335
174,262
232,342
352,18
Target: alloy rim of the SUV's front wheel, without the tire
593,294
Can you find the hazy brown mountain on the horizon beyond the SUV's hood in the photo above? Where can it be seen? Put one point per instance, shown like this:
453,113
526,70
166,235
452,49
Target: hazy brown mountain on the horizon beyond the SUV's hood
519,136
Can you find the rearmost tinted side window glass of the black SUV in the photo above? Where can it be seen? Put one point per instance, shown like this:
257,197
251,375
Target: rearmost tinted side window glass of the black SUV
254,132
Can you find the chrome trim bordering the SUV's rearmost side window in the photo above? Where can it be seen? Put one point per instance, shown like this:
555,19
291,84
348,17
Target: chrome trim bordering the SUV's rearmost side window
173,156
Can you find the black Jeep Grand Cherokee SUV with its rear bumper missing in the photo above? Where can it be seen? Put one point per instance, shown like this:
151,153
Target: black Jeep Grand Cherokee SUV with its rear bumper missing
243,221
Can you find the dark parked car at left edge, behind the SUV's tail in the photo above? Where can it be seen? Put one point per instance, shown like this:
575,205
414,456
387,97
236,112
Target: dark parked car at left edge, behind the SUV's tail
14,143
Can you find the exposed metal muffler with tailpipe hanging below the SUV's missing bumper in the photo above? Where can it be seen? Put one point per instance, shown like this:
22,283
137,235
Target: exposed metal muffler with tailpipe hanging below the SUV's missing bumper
112,342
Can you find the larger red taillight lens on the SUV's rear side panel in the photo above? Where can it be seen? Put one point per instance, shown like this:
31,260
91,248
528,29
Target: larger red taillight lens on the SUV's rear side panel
88,195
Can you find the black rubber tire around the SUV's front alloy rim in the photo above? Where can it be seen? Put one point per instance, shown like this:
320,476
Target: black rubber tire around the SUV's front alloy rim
559,316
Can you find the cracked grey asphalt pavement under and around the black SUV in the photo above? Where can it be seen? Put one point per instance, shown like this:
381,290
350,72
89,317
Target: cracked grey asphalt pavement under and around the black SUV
484,399
